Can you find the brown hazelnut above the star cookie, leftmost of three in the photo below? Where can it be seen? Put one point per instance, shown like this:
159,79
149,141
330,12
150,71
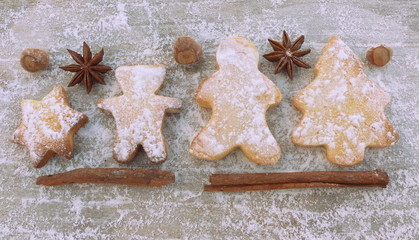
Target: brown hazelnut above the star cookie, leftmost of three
34,60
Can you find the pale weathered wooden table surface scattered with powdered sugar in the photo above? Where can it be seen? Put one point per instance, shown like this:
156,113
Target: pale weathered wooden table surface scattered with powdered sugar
143,32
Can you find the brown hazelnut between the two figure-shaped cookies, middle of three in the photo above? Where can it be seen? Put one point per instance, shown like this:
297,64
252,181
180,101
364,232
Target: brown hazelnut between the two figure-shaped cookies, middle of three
187,51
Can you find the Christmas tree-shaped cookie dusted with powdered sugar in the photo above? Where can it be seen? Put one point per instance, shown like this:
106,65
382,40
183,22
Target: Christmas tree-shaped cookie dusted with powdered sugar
342,109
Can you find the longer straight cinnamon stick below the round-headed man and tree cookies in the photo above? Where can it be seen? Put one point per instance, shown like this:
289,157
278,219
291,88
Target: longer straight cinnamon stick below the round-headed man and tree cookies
269,181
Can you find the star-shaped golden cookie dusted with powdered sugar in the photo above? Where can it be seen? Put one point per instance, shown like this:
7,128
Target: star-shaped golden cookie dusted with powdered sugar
48,127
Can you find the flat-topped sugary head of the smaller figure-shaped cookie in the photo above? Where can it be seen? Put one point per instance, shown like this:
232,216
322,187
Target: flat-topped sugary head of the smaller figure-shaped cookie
140,78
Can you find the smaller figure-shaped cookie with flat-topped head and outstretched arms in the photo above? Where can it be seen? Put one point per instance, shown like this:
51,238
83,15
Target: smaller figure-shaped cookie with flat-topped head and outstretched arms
139,112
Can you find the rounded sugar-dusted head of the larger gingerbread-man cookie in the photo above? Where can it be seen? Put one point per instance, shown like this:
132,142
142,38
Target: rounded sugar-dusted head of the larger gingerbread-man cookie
239,52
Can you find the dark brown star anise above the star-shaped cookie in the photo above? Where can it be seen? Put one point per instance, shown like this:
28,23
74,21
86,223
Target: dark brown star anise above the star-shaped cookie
88,69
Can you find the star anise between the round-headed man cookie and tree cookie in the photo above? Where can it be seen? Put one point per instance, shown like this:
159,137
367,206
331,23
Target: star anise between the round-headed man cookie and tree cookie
287,54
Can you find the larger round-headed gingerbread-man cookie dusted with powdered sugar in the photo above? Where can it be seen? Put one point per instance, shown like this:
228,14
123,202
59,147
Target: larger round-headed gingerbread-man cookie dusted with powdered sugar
239,95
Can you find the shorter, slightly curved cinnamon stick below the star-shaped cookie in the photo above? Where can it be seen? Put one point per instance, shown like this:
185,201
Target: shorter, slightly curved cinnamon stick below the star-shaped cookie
136,177
